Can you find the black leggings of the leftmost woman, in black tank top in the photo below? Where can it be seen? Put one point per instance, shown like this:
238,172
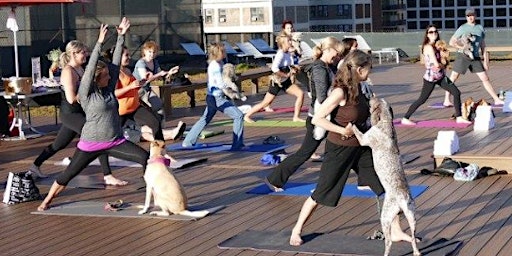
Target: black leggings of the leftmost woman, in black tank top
72,124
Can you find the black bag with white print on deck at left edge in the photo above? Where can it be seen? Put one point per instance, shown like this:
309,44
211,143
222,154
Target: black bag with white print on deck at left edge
20,188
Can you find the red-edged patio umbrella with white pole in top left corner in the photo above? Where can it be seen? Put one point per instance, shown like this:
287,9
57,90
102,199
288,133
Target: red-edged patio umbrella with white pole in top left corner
13,26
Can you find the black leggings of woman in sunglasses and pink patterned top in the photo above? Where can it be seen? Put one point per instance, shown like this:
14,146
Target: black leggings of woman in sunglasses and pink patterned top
427,89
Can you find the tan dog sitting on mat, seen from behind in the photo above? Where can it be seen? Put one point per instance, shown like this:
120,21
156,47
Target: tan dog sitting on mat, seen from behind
167,191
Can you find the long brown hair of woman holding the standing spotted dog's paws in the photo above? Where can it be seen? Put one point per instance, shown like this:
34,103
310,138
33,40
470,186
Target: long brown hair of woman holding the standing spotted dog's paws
346,75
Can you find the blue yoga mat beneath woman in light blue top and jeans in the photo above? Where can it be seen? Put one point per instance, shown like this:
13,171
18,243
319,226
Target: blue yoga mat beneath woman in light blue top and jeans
227,147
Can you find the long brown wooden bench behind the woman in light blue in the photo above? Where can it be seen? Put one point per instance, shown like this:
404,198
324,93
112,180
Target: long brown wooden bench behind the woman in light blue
165,91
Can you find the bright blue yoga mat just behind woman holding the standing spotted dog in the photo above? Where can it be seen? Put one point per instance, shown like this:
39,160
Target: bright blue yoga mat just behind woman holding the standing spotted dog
306,189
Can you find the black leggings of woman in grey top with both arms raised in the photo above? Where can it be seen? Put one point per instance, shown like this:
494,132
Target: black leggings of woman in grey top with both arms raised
126,151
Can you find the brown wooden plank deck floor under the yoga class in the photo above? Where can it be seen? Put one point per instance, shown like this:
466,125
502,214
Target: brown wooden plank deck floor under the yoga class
477,213
